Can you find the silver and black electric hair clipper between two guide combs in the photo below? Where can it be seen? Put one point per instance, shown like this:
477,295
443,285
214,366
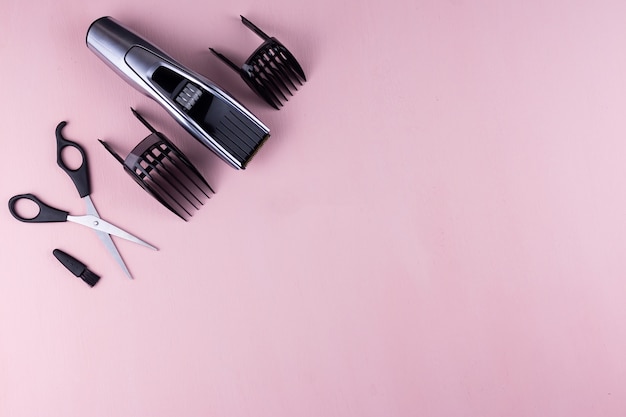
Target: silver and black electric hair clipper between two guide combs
206,111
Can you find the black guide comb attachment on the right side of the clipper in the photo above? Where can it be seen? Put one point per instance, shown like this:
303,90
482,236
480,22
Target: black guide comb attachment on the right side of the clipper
271,71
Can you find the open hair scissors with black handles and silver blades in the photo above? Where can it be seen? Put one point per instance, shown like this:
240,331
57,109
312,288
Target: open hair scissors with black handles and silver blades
80,177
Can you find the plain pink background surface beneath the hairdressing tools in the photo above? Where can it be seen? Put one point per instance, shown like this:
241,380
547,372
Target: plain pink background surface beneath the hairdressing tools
435,228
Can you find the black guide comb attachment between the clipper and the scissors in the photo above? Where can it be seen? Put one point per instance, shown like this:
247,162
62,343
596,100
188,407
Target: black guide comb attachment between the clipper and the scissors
161,169
